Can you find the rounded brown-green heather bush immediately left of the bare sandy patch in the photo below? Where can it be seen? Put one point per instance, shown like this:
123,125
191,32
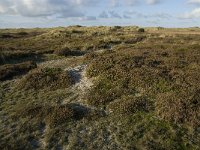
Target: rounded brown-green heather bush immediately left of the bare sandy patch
52,78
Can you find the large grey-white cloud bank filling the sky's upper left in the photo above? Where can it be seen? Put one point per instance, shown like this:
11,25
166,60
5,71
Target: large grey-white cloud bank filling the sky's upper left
34,8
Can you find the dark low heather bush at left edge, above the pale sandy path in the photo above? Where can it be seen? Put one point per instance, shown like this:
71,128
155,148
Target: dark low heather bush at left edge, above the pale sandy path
10,71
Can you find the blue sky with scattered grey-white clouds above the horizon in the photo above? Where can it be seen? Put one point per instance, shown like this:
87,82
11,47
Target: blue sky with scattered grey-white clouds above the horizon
50,13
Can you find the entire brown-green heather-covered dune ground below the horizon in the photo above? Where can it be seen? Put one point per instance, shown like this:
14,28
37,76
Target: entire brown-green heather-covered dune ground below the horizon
100,88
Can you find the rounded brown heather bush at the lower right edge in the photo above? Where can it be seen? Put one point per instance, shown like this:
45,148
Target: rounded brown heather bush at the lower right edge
181,108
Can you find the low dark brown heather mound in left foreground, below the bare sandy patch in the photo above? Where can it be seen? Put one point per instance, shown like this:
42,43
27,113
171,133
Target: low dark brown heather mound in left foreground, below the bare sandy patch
53,115
